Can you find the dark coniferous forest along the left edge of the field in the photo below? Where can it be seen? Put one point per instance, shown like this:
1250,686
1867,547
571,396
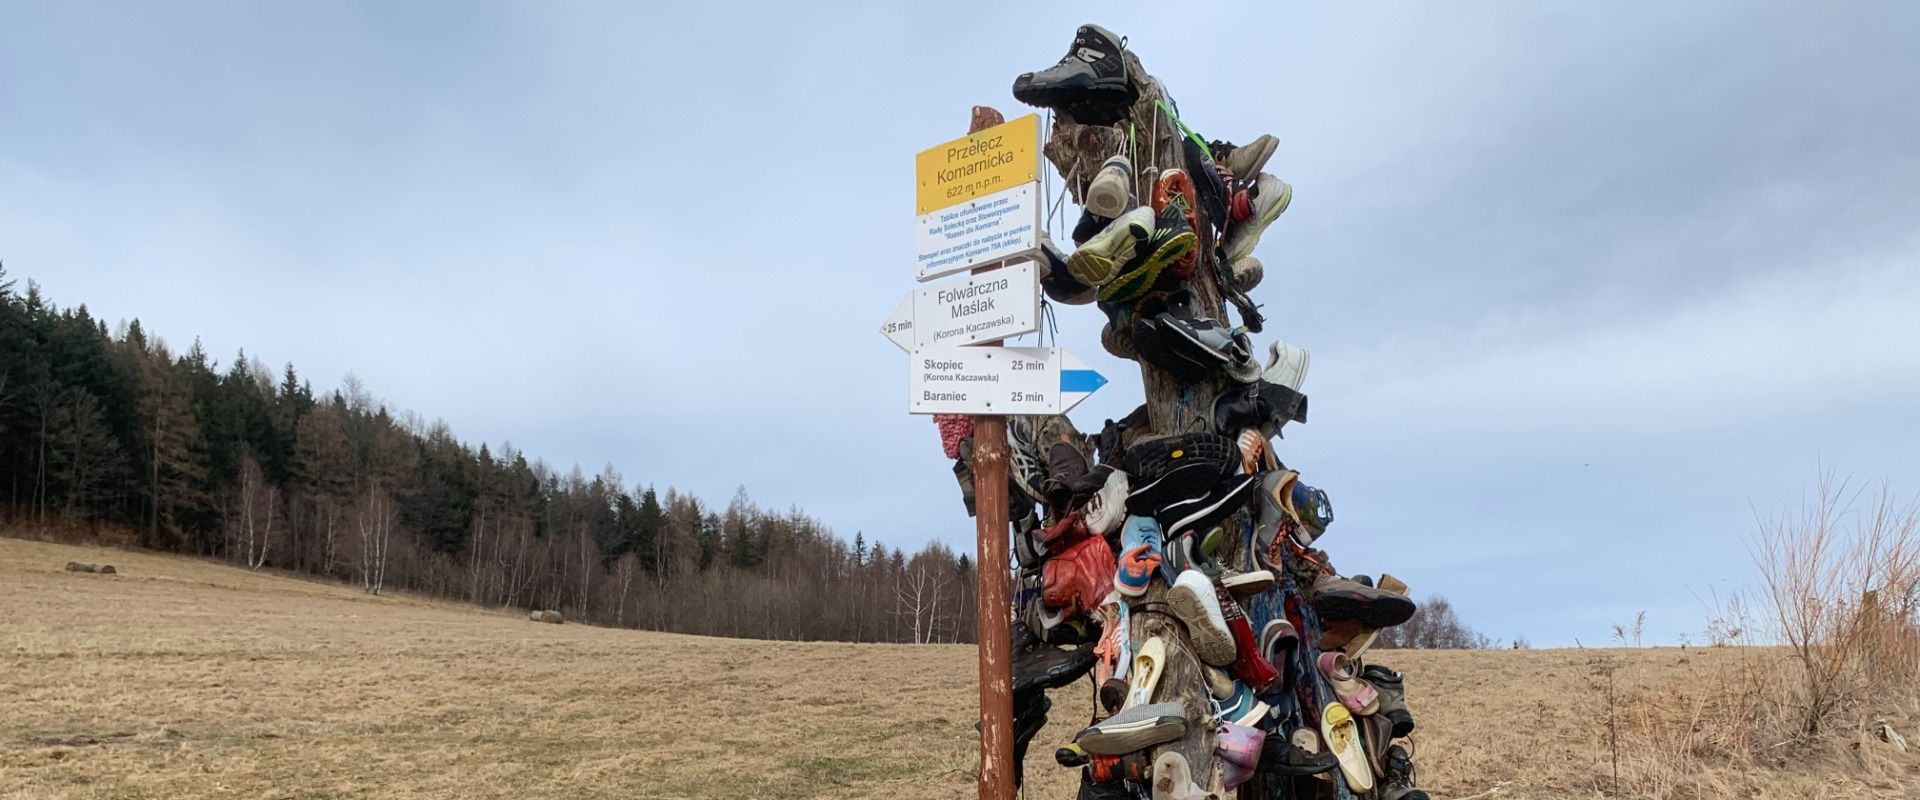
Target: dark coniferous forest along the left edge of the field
108,435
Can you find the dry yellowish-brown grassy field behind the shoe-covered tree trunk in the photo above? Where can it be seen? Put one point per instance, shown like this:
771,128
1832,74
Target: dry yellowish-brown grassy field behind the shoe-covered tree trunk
189,680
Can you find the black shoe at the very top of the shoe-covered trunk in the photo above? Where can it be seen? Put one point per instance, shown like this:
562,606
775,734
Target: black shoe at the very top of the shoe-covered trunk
1090,85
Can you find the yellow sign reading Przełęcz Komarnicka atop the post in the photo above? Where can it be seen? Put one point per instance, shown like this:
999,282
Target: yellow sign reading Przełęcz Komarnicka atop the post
976,166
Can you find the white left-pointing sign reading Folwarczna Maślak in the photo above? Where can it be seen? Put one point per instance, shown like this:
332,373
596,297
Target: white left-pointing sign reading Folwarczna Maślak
967,310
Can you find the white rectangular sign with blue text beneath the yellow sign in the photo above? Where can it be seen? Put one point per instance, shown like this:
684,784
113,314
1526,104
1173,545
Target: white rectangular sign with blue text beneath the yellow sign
997,227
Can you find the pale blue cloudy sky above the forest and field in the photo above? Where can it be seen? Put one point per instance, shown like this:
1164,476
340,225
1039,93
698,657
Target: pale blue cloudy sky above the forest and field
1589,287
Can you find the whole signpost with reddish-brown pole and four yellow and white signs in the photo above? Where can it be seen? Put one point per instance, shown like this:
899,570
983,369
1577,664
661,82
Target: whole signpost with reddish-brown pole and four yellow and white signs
978,204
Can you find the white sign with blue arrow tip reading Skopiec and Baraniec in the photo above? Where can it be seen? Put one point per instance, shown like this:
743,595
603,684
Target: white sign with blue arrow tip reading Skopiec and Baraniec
997,381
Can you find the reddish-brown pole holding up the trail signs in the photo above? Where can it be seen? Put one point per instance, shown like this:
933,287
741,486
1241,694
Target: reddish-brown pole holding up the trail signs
994,603
